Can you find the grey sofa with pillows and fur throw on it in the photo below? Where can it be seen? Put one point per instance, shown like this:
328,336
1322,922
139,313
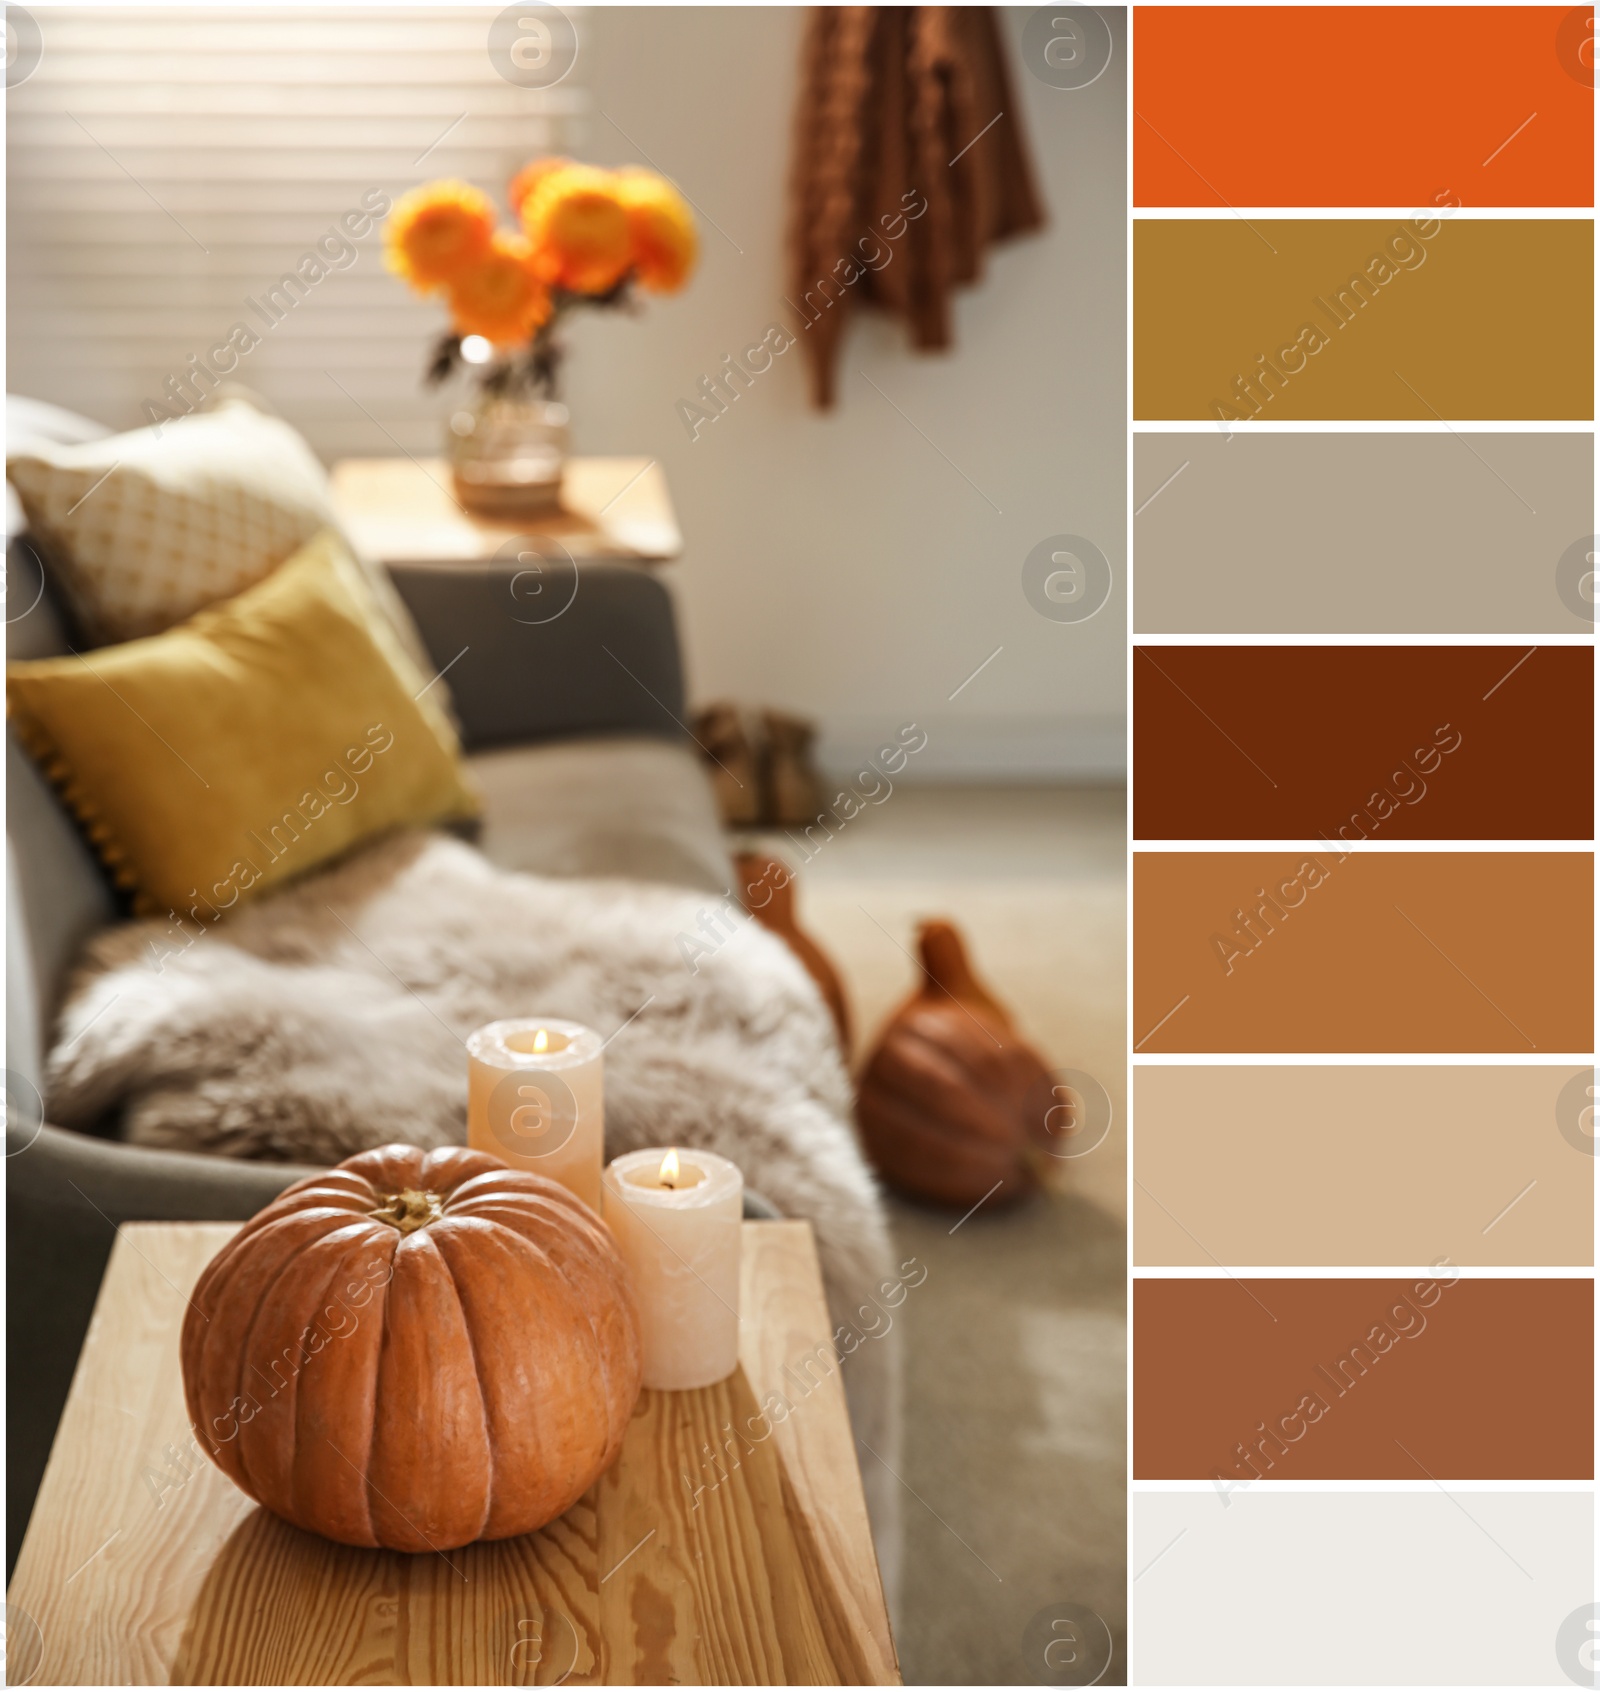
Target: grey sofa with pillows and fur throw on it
574,733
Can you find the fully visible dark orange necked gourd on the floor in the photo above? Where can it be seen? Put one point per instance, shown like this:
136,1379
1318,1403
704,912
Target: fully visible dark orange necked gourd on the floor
951,1097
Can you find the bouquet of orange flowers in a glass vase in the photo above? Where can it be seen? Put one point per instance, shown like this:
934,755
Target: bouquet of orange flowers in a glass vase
584,238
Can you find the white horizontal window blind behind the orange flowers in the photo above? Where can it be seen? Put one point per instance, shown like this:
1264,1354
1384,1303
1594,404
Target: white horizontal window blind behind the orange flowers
168,168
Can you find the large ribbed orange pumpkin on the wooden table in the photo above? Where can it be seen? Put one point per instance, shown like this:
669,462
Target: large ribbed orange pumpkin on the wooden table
417,1351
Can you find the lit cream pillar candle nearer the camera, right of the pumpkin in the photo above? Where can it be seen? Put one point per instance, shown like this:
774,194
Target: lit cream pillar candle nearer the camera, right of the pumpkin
676,1217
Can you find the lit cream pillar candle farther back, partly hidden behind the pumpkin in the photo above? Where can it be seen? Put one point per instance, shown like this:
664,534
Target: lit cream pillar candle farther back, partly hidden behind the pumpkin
535,1099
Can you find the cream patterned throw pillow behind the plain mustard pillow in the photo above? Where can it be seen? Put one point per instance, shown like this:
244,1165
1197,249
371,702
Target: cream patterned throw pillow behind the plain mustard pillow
155,525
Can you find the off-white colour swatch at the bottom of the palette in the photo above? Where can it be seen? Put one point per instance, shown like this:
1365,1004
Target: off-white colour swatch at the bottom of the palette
1356,1588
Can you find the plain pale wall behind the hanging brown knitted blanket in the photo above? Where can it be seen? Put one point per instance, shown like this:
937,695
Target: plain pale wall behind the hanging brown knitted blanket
835,563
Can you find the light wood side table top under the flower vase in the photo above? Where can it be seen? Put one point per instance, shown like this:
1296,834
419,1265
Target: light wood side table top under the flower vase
405,512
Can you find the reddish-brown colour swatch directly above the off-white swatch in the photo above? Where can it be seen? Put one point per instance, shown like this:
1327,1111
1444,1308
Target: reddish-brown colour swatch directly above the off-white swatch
1362,1380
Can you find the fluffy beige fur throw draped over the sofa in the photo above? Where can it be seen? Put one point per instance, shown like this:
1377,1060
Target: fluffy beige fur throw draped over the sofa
331,1018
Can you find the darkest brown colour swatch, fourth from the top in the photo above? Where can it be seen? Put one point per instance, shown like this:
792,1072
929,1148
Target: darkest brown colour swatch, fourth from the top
1384,742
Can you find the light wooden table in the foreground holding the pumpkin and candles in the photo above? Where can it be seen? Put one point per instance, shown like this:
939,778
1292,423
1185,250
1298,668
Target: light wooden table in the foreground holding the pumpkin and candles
143,1563
